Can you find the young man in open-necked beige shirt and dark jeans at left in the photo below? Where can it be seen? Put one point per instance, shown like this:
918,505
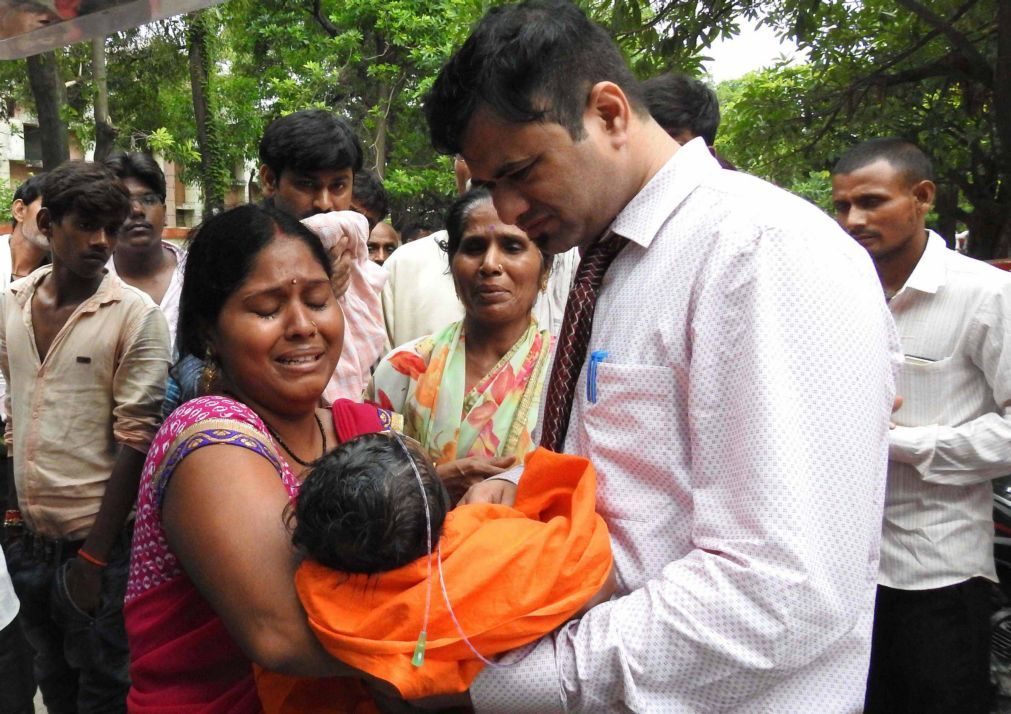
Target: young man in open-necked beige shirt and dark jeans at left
85,358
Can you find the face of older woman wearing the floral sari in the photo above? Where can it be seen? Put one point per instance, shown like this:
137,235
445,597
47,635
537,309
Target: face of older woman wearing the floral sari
498,271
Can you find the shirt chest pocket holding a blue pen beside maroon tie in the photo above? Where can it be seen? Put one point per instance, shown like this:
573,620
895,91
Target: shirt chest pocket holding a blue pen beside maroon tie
630,432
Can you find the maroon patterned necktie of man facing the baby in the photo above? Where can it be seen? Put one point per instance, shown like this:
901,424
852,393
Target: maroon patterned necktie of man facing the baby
574,339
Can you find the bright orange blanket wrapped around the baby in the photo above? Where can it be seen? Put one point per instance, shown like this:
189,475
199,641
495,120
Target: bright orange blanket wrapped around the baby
513,576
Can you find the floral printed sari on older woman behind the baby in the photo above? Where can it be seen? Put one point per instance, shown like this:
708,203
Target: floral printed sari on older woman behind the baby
425,382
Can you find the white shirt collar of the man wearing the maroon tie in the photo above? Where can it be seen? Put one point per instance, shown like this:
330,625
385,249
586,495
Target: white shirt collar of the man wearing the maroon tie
646,215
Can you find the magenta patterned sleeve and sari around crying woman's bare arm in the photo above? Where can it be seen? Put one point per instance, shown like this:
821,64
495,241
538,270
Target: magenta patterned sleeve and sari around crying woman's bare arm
182,660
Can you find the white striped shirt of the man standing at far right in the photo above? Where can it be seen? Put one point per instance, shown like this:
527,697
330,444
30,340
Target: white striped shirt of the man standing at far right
954,317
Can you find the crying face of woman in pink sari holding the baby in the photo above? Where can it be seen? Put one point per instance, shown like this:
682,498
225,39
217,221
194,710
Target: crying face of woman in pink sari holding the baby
280,335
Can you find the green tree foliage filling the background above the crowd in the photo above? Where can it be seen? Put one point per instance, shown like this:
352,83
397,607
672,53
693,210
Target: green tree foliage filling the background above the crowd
939,73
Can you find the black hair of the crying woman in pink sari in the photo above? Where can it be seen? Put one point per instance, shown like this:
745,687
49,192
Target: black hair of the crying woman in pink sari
221,253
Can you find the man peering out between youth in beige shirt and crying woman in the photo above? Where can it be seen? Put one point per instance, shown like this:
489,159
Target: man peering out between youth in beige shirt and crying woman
142,258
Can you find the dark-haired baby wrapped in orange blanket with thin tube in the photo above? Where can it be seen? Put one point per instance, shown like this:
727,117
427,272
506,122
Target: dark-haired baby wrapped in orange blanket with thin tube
500,577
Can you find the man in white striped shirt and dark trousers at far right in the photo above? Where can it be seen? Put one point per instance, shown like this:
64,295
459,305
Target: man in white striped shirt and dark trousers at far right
953,436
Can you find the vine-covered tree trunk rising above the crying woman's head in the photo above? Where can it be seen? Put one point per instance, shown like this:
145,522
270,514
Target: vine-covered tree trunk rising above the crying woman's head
207,135
